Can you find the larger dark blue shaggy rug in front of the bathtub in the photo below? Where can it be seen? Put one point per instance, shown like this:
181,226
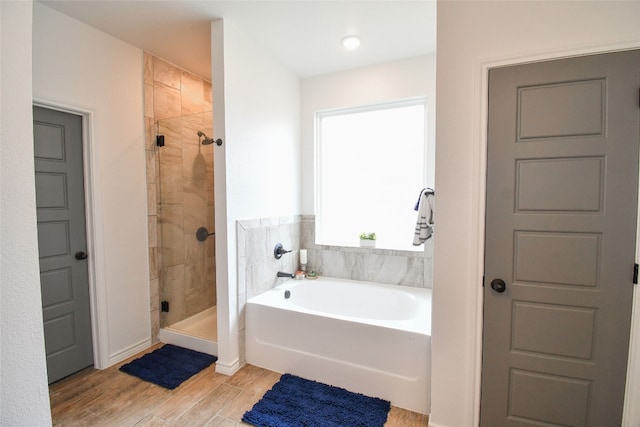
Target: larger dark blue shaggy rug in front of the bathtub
296,402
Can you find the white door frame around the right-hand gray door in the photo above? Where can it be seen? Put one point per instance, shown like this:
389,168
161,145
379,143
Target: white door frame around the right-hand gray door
631,414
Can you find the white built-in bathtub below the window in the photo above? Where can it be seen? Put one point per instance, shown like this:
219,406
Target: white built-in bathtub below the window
365,337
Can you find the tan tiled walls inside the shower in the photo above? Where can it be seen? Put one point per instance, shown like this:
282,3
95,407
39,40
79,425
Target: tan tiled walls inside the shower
179,191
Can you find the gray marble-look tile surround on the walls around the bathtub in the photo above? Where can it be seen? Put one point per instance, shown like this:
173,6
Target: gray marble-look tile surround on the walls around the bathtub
257,266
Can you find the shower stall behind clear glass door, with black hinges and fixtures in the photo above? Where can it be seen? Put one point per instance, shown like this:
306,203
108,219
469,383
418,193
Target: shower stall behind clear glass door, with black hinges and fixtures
186,244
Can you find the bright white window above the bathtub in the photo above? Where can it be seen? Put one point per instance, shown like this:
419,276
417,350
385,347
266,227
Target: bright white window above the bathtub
369,172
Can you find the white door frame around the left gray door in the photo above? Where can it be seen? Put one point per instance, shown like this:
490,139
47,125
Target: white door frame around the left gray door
95,234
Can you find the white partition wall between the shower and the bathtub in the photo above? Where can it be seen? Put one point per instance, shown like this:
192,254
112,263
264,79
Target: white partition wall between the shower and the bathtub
257,114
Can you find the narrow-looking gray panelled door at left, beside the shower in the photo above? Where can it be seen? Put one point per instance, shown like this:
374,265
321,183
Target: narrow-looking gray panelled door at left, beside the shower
62,241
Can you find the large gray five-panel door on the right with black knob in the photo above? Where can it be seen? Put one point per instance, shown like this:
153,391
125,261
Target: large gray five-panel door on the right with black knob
562,187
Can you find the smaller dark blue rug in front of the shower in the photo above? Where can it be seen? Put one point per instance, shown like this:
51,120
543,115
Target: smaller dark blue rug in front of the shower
169,366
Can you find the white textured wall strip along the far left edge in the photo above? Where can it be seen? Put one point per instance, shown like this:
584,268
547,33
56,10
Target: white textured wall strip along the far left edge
24,395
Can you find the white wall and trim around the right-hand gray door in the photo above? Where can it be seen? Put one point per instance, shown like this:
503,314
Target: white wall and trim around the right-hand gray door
473,36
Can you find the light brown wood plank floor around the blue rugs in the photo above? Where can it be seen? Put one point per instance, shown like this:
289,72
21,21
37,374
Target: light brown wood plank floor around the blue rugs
112,398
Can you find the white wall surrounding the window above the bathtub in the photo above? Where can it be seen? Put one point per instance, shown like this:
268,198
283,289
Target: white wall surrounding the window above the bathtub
369,85
